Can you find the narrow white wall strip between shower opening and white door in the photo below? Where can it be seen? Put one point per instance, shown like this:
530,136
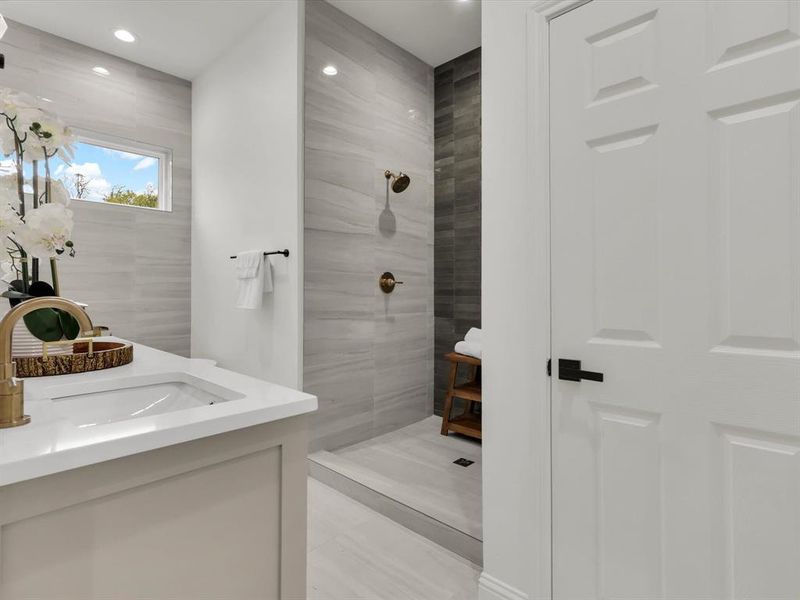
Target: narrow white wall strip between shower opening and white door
516,533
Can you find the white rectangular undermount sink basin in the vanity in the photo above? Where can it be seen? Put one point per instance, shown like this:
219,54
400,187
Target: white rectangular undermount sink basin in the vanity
135,398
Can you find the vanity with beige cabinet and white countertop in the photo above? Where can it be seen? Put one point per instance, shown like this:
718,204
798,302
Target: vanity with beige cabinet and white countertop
192,504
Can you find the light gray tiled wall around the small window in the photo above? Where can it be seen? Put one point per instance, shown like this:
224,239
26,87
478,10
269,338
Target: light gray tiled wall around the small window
133,265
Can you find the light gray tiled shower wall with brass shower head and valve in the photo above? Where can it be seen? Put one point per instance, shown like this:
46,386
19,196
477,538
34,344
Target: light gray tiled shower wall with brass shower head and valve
368,356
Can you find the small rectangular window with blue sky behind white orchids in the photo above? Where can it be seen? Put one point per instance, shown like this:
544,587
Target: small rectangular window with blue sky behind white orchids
116,171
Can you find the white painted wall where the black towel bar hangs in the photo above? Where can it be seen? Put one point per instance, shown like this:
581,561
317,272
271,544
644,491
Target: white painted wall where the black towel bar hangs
247,190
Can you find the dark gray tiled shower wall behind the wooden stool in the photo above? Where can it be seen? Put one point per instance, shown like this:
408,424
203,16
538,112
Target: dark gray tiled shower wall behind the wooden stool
458,207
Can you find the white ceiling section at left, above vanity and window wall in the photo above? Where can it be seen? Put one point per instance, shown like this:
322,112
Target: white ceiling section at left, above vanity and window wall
175,36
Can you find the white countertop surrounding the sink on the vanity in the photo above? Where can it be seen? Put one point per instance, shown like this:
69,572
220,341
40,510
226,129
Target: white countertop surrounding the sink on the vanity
52,444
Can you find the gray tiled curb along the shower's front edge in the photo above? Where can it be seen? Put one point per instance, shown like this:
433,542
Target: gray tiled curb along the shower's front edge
444,535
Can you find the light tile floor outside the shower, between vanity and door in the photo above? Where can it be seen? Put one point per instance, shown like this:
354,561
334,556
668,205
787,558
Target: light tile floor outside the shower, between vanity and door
357,554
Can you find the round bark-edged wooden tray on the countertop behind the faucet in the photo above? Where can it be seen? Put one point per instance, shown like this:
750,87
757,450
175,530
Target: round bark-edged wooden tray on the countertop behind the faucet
103,355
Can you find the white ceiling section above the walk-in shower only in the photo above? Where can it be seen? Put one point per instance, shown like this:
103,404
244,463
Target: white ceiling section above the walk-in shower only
432,30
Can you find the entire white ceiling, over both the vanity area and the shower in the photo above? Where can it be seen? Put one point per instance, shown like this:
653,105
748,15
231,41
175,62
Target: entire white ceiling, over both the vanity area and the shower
181,37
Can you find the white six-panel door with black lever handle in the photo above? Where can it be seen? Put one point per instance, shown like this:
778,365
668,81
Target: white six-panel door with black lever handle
675,181
